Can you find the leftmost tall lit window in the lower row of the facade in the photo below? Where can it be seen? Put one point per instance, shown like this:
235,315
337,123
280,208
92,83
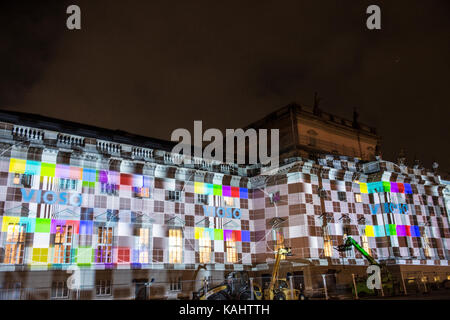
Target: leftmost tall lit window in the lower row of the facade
15,243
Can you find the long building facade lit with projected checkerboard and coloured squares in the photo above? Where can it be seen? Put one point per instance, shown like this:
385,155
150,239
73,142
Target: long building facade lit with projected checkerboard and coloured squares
118,208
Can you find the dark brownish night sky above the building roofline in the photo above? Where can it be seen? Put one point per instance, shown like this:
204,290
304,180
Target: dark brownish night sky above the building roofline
149,67
